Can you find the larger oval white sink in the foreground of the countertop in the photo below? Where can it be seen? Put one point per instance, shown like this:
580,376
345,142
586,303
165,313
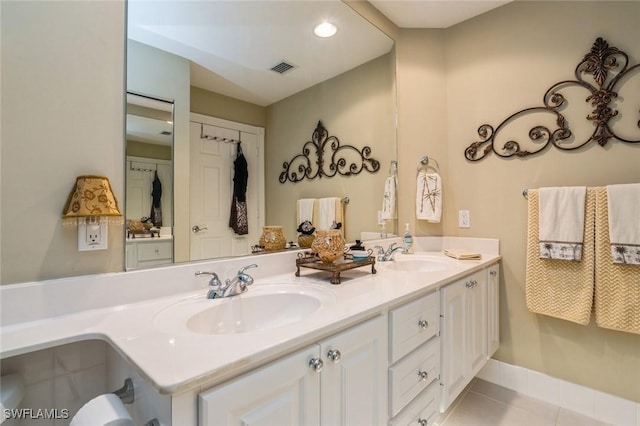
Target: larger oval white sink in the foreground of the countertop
260,308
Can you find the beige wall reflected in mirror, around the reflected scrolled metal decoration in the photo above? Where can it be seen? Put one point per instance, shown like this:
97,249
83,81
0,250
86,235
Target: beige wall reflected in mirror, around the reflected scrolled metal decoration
350,107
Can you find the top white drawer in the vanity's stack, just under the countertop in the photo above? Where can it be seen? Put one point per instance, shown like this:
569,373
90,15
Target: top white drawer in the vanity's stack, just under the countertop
413,324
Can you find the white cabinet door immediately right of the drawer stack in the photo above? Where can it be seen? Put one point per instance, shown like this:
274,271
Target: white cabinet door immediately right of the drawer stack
454,342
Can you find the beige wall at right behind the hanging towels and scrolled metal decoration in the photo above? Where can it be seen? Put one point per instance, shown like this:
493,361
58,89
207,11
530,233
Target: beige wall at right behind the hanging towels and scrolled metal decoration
452,81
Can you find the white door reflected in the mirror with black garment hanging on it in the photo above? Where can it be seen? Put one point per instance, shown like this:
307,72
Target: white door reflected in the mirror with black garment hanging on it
211,192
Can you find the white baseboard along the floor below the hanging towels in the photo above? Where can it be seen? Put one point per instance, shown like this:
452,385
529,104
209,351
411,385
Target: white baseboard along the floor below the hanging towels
589,402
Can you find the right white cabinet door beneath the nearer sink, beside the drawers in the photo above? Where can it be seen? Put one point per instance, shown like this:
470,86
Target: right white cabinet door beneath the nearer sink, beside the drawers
354,386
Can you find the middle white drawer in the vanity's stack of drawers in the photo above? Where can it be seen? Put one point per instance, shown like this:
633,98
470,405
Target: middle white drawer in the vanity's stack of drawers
413,374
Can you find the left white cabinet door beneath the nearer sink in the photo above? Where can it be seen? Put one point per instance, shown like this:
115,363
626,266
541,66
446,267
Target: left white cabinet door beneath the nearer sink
286,392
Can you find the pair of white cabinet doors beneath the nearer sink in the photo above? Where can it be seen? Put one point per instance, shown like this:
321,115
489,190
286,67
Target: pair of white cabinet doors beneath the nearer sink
339,381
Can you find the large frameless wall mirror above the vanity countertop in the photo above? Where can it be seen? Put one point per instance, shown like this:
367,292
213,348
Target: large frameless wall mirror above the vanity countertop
215,58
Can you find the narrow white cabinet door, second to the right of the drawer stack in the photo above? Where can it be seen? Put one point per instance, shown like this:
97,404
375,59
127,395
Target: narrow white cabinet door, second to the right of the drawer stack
476,289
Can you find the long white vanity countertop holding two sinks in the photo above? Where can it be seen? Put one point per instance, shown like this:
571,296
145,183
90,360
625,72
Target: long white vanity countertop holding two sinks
174,360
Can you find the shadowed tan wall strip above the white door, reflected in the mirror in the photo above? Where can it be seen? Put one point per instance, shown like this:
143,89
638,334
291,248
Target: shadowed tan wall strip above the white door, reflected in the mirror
216,105
